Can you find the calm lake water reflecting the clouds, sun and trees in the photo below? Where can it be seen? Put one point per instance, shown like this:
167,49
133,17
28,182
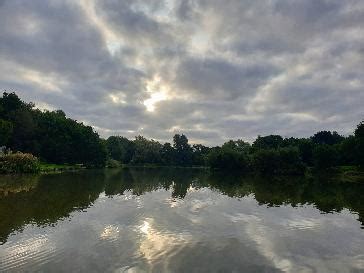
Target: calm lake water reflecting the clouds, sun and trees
163,220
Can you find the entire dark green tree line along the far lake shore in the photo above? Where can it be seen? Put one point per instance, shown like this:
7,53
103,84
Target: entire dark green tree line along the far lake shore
54,138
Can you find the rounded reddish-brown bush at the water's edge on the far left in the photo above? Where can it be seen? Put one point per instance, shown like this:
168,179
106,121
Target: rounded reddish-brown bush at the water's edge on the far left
18,163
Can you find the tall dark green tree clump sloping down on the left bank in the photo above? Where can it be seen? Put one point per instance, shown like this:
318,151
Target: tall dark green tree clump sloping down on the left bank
50,135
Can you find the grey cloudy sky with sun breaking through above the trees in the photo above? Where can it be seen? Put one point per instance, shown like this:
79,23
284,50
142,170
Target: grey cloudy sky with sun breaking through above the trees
211,69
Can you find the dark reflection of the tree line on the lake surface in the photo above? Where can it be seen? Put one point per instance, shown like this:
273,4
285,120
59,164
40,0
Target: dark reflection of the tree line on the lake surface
46,199
